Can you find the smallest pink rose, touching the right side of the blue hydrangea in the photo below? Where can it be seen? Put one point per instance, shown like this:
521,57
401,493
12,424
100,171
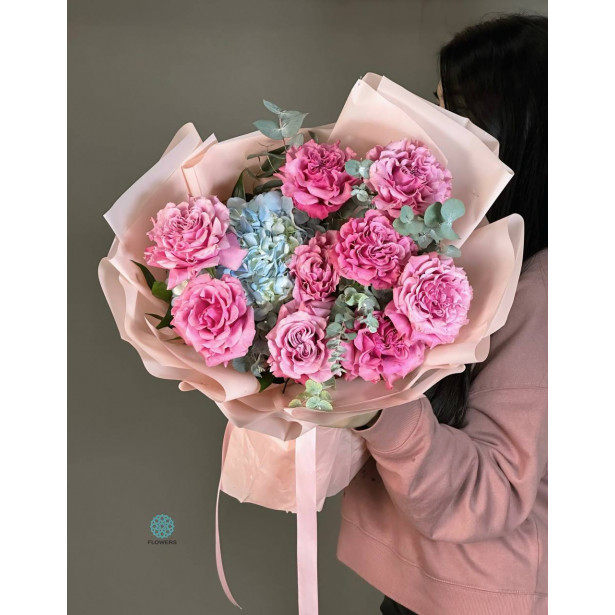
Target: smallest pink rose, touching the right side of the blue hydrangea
315,276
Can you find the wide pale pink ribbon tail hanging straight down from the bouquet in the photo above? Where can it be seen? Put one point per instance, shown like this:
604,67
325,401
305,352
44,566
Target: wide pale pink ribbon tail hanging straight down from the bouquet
307,531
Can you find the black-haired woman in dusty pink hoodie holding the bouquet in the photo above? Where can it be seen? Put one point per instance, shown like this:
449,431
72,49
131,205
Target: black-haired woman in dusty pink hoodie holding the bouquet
449,516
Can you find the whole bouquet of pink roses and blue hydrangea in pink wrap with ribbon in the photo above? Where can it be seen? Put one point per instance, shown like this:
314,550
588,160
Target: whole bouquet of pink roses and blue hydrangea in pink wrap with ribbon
306,278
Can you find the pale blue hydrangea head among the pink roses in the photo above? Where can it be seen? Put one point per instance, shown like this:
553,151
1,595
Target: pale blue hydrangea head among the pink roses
266,228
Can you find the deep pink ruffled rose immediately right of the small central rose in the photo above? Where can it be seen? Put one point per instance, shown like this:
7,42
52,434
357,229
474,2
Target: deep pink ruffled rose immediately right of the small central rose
370,251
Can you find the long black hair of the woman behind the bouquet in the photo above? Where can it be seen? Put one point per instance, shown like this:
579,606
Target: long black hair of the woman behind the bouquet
495,74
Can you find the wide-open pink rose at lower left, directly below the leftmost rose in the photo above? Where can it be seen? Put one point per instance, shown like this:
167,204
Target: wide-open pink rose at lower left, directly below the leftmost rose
212,316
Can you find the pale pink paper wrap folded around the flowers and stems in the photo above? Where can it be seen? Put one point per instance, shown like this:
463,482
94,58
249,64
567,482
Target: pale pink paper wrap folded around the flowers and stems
377,111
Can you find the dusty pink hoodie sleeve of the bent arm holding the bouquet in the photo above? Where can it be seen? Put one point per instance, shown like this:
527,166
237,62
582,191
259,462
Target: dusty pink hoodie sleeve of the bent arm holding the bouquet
479,482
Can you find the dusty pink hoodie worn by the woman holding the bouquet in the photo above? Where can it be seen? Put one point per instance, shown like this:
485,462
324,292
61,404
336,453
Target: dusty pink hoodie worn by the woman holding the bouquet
454,521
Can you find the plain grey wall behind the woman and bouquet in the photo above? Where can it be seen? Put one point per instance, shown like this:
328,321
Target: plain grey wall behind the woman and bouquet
139,69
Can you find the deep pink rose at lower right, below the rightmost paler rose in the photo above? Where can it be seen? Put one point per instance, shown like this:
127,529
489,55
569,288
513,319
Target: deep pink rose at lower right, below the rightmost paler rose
388,353
